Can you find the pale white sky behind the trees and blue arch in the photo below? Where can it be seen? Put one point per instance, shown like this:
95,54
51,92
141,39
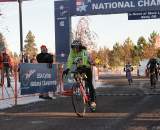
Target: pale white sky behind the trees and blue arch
38,16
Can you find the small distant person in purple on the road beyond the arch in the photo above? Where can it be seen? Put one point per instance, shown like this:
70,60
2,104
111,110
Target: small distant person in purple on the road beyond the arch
128,68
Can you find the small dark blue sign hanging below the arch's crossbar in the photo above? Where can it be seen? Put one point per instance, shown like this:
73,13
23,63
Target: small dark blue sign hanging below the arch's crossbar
144,15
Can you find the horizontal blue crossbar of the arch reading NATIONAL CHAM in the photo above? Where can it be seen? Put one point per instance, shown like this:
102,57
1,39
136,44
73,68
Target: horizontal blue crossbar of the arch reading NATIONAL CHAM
95,7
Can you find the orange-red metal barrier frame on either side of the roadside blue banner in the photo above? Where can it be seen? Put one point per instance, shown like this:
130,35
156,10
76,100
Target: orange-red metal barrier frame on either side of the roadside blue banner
12,94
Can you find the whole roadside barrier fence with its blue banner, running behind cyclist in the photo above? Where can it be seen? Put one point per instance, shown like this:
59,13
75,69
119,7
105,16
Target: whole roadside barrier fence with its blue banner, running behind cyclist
39,74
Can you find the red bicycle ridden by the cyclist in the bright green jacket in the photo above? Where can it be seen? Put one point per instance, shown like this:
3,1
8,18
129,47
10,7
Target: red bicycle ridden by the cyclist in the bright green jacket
80,94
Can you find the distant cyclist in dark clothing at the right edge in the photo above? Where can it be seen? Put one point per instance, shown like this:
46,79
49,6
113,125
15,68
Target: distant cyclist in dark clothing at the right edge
152,66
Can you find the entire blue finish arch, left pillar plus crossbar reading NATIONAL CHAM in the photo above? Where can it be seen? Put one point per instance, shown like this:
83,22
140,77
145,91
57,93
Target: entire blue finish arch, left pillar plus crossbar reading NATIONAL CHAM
64,9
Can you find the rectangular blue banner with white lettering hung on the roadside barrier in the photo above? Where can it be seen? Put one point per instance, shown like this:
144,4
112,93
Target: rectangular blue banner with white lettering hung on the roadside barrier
37,78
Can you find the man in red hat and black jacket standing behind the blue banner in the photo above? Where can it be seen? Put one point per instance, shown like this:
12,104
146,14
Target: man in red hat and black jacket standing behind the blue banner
44,57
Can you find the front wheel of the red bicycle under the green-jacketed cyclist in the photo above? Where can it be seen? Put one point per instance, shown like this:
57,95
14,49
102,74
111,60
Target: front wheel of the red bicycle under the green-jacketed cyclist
78,101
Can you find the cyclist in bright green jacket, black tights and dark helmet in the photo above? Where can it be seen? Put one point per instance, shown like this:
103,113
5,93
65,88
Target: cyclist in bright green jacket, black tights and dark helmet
78,51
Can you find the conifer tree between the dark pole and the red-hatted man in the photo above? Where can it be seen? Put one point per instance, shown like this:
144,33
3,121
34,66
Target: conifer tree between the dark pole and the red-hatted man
30,46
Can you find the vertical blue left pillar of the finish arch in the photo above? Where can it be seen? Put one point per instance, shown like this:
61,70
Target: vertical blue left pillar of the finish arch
62,30
